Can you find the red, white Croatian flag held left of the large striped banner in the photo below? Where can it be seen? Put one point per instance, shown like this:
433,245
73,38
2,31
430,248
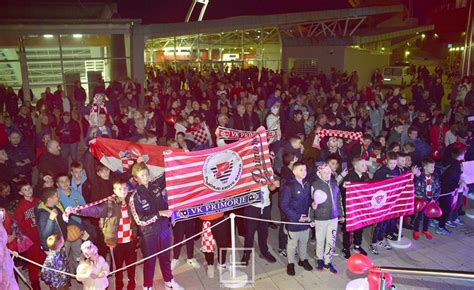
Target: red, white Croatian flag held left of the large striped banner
119,155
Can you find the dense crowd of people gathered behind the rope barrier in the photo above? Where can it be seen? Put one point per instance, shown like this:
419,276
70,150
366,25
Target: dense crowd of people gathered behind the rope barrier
45,172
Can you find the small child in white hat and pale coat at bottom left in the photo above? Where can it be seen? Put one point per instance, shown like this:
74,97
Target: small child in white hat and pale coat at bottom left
93,269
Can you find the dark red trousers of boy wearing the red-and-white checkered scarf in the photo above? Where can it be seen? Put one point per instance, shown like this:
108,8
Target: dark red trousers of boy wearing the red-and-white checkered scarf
125,254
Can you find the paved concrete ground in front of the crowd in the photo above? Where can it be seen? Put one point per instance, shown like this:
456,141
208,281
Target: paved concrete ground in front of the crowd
443,252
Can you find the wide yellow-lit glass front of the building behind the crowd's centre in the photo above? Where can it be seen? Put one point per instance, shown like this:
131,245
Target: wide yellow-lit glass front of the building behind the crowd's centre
242,48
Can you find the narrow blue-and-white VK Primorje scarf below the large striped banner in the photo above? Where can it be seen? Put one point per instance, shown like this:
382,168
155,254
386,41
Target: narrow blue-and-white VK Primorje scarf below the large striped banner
222,205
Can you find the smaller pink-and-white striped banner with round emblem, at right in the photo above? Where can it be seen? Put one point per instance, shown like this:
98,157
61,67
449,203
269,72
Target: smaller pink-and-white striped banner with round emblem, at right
368,203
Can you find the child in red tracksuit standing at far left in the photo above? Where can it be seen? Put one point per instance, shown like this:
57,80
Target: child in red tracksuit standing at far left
25,219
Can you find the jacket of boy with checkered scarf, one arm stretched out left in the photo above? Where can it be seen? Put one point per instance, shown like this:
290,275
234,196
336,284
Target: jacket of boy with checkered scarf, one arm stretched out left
109,213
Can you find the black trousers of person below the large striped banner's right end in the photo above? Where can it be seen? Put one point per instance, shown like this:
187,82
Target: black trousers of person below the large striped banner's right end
260,227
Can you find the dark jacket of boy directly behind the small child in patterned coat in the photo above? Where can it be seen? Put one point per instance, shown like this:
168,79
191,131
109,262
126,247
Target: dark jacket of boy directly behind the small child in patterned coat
46,226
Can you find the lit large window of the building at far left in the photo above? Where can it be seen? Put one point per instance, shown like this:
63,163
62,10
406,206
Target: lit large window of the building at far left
53,59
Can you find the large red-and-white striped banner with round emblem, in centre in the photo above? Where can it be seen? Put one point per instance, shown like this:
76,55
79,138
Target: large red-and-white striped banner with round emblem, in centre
194,178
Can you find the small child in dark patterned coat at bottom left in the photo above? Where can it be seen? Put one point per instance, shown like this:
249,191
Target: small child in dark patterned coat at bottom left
57,260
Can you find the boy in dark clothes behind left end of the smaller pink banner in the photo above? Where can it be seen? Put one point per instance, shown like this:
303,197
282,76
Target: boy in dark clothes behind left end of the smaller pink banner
357,174
